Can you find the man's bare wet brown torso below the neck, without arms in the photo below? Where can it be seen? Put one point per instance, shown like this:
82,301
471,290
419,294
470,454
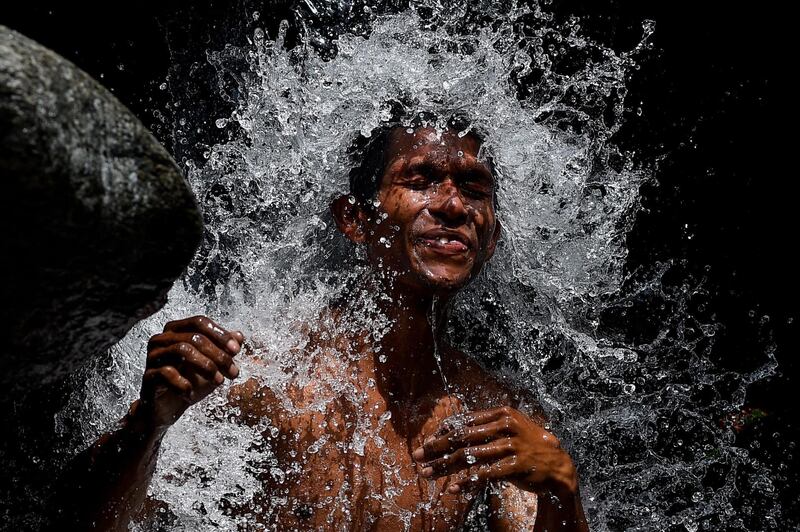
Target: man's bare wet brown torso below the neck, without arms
343,453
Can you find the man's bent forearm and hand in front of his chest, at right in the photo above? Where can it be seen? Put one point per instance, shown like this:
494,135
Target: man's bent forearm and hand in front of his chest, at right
503,445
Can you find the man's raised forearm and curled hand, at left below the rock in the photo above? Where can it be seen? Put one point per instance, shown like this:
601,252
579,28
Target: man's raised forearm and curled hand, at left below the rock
106,485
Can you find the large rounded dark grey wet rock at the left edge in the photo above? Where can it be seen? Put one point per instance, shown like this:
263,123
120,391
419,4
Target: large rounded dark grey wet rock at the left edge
97,218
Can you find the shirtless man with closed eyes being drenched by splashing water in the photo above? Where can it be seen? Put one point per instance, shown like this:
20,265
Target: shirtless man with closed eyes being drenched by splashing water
442,434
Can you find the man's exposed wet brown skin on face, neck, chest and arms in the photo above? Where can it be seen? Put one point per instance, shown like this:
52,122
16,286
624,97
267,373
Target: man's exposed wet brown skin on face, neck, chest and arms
437,213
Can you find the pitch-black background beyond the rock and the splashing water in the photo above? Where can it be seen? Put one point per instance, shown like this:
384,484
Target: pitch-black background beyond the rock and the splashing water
713,114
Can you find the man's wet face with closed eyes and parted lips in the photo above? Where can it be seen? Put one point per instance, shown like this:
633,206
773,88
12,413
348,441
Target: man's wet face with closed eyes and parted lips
435,226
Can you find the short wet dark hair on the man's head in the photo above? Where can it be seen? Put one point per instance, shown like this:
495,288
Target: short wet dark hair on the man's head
368,153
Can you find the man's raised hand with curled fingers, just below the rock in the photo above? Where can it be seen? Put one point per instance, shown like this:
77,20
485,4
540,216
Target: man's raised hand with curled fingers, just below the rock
185,363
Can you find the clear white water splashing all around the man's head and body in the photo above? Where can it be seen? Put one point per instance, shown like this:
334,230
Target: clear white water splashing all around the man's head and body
638,414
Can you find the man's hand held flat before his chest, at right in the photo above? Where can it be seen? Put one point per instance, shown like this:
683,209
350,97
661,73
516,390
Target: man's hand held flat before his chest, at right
498,444
